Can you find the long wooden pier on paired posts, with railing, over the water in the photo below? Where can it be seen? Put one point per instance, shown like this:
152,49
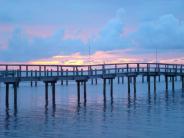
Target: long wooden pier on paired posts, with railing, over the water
14,74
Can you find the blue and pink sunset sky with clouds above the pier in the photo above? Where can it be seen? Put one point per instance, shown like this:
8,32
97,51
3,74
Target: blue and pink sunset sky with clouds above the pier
91,31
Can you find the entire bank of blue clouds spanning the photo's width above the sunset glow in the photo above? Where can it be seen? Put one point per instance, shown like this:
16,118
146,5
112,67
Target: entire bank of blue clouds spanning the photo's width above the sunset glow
166,32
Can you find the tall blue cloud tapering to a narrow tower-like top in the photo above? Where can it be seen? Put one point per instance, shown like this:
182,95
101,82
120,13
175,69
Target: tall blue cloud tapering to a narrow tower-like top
110,37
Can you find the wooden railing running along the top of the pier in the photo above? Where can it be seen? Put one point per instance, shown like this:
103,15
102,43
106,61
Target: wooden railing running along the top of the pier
26,70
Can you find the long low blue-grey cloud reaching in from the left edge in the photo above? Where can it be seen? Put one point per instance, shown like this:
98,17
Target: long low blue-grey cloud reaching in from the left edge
22,48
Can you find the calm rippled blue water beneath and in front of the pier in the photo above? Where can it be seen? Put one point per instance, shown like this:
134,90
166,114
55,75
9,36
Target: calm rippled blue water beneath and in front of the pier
140,115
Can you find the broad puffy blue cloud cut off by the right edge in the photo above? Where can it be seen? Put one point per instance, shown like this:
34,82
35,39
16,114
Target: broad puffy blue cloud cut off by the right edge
165,33
